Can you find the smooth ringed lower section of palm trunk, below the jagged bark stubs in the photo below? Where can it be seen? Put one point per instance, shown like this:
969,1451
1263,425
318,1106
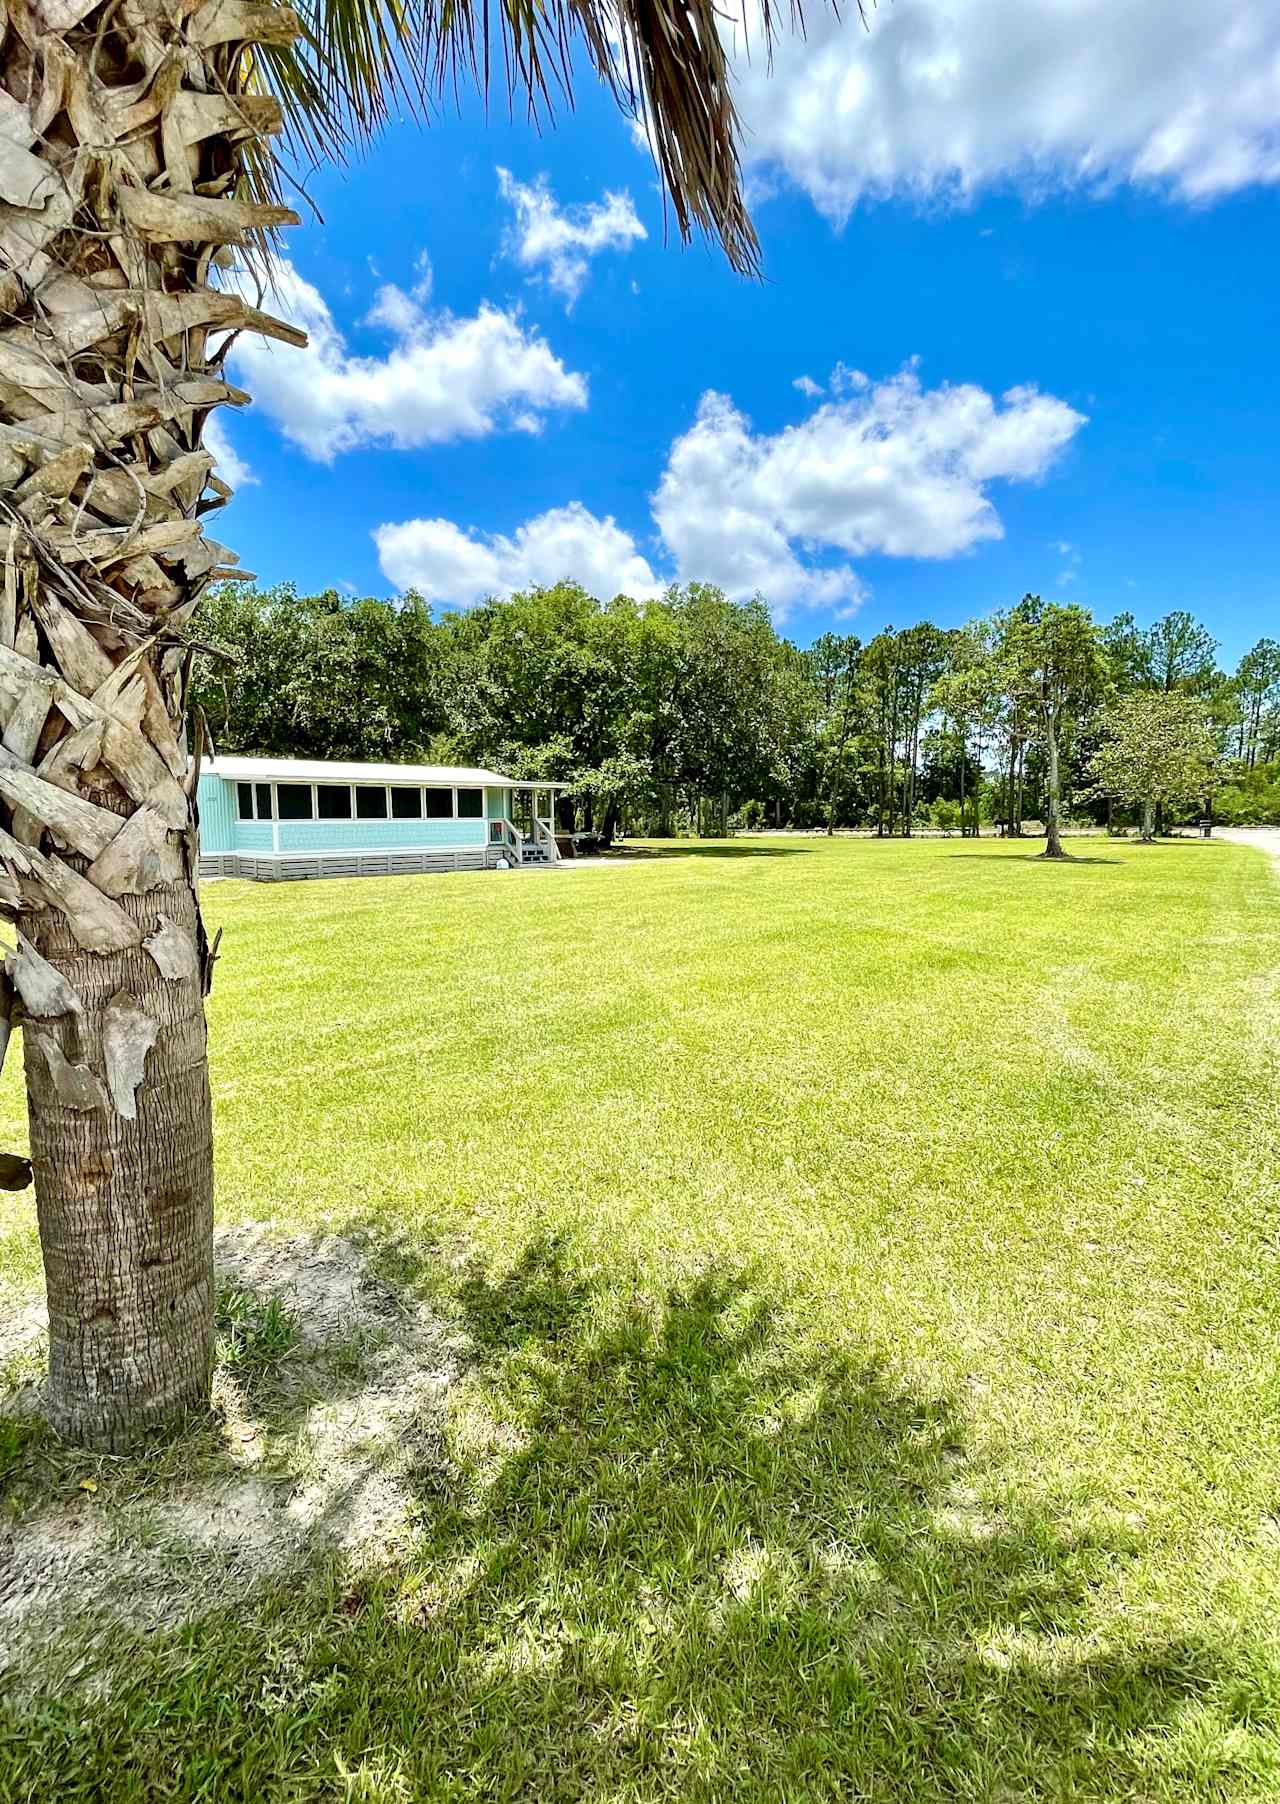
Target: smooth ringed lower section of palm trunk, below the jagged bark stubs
125,1201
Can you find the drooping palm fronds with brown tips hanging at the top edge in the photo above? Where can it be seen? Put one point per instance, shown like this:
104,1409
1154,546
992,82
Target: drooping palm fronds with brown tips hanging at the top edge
664,60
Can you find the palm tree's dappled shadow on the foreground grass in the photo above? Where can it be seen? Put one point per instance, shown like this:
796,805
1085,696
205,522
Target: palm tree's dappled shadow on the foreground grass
677,1556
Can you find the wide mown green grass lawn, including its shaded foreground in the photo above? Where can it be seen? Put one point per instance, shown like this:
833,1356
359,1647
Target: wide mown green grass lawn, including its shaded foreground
868,1266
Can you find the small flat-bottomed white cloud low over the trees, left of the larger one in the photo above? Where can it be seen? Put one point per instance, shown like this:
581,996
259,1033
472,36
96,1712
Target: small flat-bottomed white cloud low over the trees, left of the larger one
450,566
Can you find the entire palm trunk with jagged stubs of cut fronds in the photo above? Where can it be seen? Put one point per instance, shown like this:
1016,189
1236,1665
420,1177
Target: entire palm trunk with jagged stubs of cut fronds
122,161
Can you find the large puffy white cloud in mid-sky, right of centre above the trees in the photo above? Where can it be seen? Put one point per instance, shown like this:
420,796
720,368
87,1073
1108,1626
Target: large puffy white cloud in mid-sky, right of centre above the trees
891,468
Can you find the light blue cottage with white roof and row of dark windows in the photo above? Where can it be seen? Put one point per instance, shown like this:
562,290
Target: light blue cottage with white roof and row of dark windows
273,818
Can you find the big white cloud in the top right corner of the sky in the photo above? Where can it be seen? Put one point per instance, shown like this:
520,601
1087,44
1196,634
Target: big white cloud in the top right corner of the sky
947,97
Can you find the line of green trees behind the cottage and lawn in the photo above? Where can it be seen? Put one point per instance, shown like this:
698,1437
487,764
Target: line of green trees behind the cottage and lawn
693,712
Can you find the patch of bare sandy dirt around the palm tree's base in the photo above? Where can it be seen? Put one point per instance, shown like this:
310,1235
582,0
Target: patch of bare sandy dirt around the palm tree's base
327,1453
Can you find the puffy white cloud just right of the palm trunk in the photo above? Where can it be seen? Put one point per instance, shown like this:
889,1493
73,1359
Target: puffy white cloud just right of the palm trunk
443,378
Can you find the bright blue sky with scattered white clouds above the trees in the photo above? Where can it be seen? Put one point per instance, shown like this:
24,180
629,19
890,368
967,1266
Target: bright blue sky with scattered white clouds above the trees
1030,281
